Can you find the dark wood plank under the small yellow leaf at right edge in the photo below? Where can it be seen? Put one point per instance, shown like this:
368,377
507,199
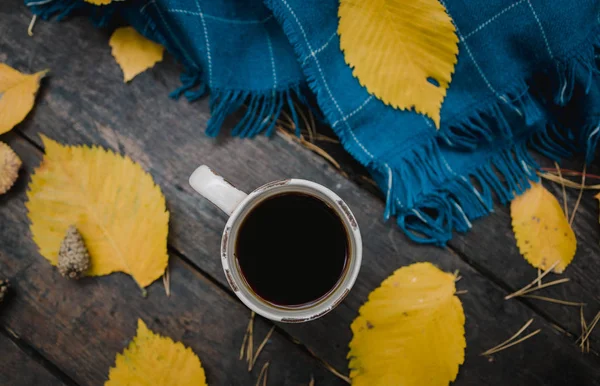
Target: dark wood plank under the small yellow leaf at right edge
490,246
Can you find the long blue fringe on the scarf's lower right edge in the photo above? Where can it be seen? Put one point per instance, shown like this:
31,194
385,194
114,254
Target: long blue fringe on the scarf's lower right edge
431,218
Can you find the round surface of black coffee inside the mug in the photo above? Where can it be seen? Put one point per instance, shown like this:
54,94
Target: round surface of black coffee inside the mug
292,249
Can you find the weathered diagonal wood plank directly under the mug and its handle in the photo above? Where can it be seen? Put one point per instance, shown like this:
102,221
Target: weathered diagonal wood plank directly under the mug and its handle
170,144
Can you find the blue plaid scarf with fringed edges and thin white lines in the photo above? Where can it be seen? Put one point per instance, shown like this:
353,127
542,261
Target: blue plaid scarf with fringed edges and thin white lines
526,79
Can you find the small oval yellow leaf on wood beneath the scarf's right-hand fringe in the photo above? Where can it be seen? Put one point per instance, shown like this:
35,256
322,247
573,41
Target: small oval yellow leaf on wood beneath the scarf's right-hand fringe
542,230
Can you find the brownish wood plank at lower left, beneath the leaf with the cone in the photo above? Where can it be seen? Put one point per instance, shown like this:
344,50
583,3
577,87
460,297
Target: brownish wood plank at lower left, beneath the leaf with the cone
81,326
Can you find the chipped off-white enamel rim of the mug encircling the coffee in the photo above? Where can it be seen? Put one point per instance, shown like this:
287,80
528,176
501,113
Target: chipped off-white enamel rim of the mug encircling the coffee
242,289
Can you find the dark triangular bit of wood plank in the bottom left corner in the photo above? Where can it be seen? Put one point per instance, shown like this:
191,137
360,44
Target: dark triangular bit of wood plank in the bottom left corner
17,368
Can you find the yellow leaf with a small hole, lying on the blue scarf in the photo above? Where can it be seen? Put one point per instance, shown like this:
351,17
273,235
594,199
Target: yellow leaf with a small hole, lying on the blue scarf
397,47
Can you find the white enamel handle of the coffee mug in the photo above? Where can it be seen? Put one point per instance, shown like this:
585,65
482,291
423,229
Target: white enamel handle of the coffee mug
218,191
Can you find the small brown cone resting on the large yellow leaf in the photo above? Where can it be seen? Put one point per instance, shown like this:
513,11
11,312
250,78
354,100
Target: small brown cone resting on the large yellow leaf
73,257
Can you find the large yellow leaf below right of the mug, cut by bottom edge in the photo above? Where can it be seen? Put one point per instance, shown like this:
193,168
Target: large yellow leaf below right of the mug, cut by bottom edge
410,332
